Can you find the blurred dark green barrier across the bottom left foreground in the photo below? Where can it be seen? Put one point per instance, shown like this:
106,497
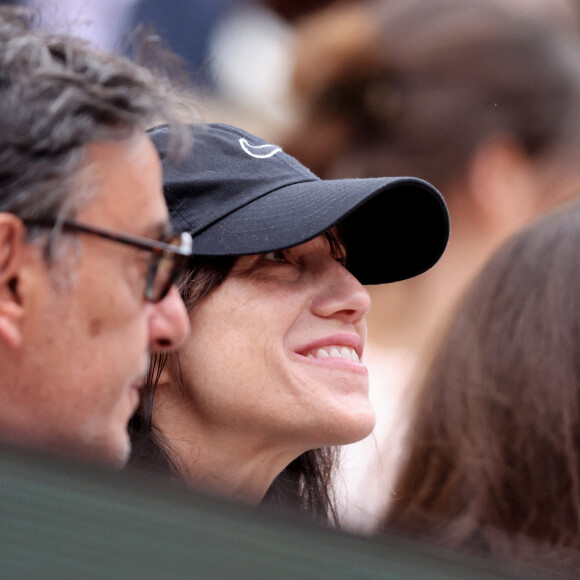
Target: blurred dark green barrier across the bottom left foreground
68,521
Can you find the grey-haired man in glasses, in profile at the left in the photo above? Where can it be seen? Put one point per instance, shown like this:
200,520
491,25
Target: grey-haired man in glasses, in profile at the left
86,264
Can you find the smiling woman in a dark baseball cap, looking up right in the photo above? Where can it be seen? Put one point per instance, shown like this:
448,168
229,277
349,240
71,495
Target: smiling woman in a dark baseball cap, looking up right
271,376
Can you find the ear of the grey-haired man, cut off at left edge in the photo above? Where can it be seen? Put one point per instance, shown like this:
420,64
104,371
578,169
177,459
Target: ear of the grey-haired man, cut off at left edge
11,261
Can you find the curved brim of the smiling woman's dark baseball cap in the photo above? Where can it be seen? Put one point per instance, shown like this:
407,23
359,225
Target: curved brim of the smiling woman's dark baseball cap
393,228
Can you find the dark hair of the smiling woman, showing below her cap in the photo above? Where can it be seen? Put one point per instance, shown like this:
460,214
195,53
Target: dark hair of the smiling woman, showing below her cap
305,485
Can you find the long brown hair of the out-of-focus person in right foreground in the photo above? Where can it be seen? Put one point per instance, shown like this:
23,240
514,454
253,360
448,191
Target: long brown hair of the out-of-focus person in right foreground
492,459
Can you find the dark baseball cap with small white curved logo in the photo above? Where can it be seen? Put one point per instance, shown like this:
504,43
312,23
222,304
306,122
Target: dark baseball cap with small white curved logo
237,194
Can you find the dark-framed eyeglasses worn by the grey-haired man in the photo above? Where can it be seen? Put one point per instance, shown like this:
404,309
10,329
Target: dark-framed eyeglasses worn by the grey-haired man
168,260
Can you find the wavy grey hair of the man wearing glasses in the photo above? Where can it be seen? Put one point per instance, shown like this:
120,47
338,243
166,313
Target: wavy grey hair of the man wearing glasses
58,94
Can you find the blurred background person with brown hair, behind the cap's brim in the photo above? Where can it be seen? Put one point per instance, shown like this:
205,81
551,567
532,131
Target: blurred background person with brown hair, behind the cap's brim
477,97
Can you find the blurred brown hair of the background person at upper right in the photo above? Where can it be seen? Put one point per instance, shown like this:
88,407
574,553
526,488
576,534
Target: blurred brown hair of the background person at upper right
421,103
